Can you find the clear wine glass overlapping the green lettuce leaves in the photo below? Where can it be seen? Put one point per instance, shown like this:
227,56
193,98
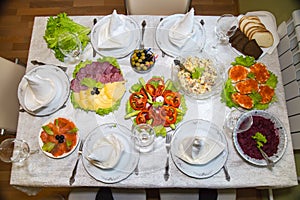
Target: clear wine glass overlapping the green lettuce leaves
70,46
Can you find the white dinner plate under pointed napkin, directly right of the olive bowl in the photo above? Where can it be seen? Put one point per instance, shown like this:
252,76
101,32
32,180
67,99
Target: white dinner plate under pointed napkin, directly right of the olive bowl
194,44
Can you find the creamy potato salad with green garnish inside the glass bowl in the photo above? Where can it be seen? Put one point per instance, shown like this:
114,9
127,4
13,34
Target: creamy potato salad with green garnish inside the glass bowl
197,75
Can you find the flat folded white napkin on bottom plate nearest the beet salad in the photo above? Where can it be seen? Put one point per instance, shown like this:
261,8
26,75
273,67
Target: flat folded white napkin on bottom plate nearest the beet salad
208,151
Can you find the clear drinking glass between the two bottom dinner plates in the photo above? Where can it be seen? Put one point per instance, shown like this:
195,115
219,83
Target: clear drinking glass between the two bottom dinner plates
143,135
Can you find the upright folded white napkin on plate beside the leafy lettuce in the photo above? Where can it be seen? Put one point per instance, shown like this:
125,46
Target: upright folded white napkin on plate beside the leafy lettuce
114,33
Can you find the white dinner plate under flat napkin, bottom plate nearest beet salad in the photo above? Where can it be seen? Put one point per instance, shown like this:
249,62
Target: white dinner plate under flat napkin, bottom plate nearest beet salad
202,128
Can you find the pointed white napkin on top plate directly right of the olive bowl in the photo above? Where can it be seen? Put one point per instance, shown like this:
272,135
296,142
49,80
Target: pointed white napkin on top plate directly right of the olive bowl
183,29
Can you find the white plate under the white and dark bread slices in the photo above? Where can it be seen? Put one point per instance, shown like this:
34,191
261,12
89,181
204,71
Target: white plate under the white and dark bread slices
269,21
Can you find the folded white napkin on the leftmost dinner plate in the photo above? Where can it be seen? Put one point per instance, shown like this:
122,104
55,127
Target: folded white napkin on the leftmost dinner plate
39,92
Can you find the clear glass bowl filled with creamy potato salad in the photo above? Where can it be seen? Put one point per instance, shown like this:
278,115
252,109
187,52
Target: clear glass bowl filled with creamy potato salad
198,76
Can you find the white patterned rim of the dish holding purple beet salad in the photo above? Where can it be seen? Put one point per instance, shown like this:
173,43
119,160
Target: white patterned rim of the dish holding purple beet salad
279,129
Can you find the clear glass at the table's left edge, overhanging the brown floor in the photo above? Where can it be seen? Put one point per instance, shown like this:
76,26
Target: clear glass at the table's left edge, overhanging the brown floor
14,150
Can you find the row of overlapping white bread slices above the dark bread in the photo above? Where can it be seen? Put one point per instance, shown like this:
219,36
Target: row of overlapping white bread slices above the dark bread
253,28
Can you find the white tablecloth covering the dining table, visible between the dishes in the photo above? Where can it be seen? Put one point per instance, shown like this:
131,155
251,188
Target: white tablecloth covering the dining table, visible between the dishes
40,170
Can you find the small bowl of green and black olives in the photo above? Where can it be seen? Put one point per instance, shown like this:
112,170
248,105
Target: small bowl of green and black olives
142,60
